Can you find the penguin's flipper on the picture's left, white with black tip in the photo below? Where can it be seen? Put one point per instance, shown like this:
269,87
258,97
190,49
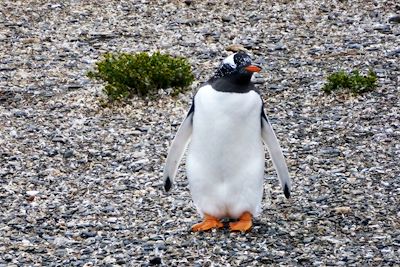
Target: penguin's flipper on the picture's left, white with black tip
177,149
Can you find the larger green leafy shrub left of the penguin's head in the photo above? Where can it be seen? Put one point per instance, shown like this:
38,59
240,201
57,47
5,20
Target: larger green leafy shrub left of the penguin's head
129,74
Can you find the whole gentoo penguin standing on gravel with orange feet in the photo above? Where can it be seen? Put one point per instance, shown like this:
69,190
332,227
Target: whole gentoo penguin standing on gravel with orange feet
225,129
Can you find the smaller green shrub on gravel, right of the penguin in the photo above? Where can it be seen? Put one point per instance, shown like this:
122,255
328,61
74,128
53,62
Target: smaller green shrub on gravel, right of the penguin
353,82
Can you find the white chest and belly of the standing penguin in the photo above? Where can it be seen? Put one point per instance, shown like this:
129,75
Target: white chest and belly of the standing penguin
225,160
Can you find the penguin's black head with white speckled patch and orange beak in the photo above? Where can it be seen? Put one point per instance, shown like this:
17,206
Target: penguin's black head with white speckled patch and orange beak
237,67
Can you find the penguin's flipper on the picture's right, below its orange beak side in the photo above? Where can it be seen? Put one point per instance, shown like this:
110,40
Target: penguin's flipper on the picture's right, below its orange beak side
275,151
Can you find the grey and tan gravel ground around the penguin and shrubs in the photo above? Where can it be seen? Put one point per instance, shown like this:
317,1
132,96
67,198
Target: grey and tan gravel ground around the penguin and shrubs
80,182
